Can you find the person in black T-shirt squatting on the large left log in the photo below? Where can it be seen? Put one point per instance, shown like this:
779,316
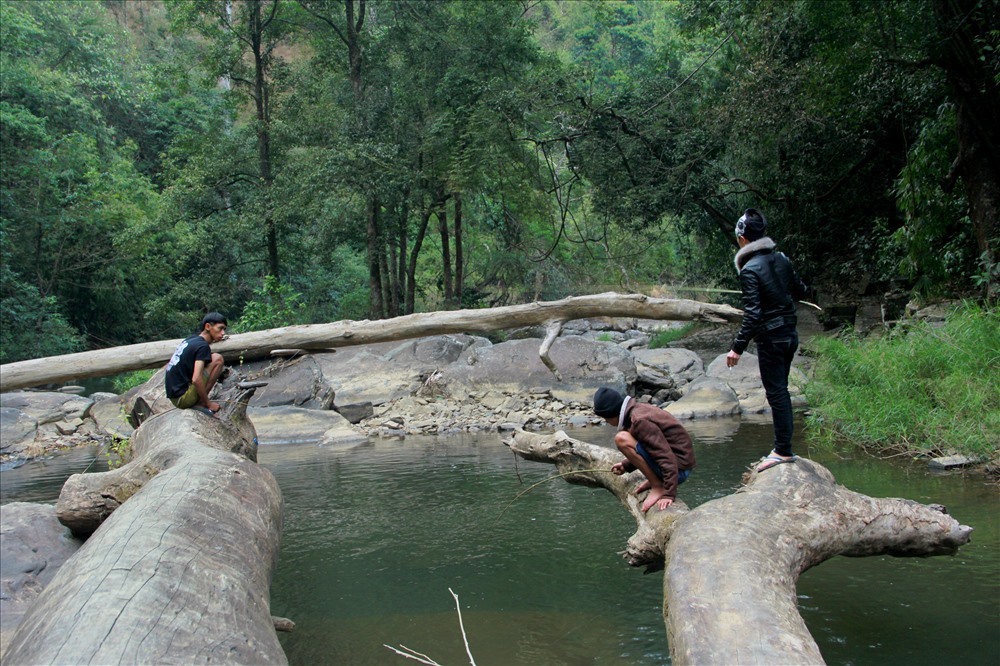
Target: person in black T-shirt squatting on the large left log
194,369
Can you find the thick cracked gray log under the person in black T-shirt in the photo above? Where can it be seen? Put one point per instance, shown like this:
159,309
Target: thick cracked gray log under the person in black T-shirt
180,573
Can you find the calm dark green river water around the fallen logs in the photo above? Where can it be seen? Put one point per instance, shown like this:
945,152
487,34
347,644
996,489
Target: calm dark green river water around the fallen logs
375,535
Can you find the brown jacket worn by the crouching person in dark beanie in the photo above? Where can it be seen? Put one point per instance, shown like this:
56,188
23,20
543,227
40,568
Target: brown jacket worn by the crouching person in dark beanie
664,438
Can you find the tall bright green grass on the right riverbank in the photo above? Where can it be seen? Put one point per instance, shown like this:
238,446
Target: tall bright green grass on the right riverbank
928,390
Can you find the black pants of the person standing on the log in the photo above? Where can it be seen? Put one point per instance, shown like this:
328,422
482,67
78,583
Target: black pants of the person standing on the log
775,350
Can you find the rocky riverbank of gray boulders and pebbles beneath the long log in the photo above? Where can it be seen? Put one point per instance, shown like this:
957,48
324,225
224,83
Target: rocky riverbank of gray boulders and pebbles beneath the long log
438,384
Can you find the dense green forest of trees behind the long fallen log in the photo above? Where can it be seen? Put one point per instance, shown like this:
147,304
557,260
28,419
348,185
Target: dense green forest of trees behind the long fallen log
296,161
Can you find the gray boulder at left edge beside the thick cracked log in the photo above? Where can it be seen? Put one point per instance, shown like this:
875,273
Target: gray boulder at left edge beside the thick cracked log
33,545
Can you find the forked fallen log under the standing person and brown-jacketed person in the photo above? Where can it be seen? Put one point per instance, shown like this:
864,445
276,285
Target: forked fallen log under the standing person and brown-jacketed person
731,564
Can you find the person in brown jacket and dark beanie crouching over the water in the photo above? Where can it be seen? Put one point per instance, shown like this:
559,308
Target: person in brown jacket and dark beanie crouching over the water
652,441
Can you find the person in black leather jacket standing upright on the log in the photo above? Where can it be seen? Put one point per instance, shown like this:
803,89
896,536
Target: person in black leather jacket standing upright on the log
770,289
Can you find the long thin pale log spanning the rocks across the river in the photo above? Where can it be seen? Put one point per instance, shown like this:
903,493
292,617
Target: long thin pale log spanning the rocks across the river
259,344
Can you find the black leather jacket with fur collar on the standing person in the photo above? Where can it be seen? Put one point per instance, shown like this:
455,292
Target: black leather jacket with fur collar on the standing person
770,289
